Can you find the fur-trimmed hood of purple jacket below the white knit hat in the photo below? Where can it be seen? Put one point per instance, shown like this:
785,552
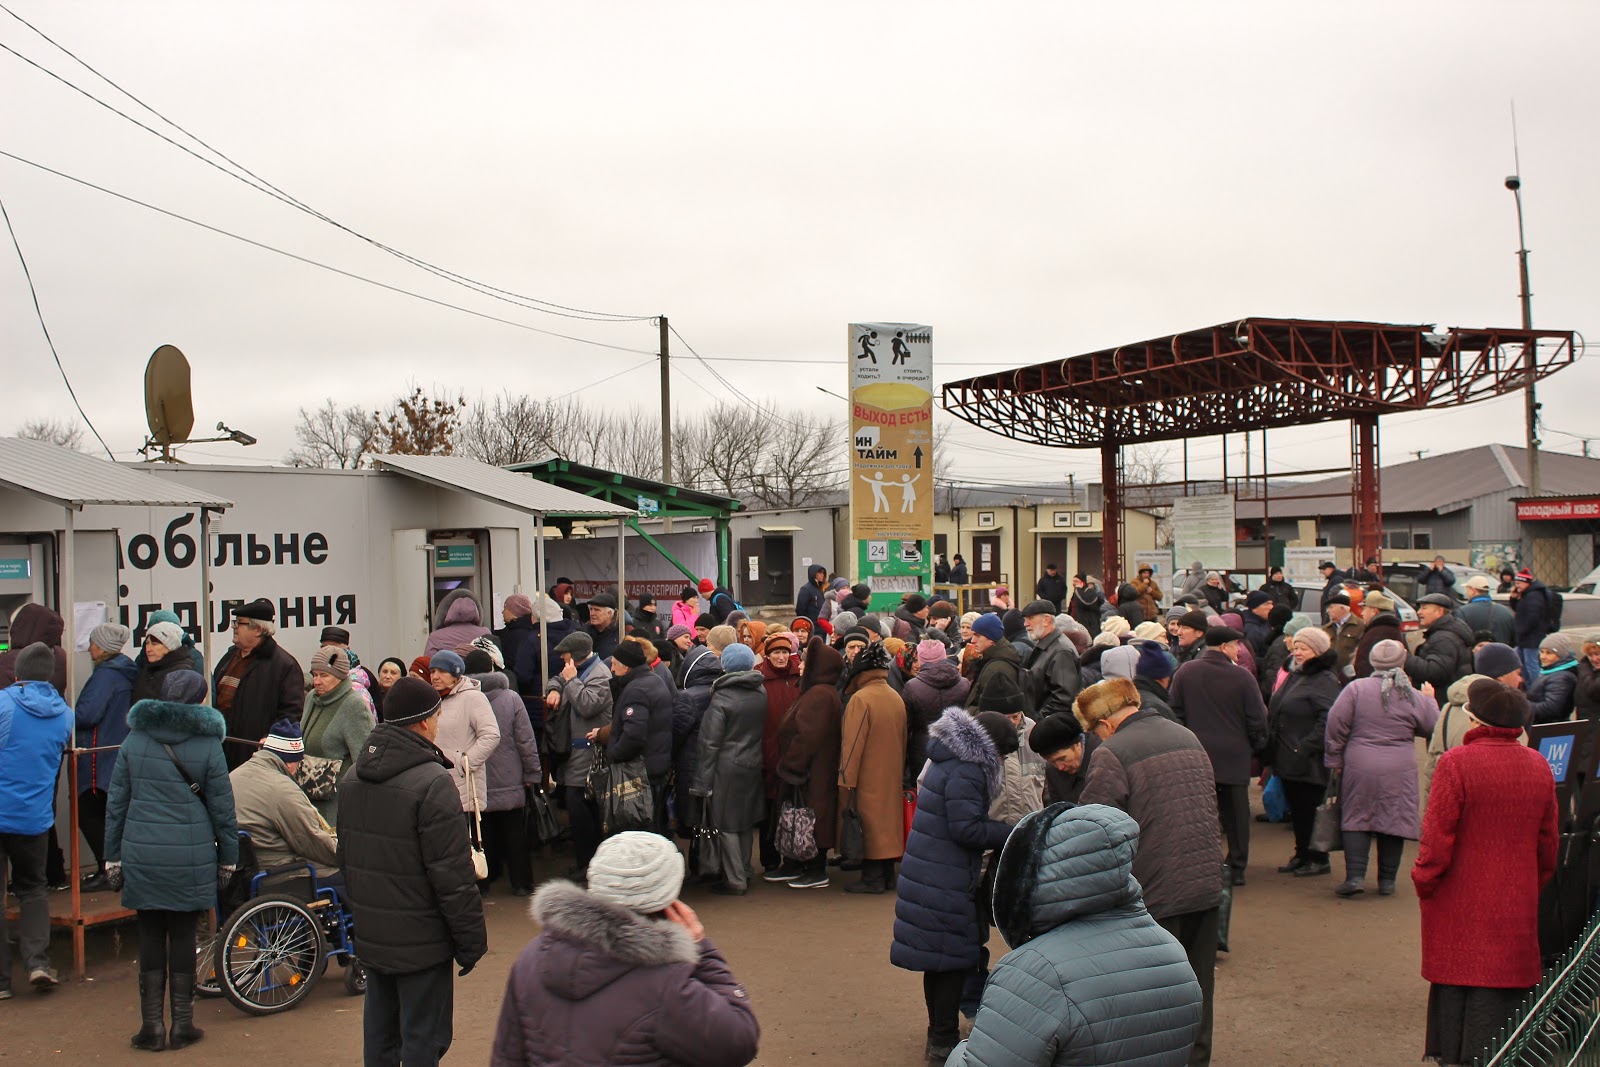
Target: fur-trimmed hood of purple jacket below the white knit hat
591,943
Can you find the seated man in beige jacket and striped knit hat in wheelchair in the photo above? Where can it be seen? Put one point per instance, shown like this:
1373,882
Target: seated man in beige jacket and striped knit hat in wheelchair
282,823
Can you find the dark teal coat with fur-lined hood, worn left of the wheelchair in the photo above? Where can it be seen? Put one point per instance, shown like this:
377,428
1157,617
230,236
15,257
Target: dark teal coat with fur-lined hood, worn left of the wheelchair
167,839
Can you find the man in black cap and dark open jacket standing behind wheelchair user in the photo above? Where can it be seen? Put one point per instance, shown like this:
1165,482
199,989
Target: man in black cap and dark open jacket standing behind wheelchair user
257,684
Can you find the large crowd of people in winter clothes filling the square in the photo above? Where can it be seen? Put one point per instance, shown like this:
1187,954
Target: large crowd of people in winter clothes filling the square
1074,773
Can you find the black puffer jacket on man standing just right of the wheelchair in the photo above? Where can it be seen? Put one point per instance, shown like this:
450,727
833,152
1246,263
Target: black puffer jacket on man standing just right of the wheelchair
406,858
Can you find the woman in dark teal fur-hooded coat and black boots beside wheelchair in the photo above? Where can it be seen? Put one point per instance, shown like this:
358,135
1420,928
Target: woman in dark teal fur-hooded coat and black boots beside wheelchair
170,842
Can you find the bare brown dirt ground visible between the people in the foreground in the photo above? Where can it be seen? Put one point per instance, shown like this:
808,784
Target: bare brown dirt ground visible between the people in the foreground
1313,980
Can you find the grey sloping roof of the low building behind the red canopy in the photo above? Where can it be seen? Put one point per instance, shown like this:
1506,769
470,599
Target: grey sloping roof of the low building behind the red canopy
1439,484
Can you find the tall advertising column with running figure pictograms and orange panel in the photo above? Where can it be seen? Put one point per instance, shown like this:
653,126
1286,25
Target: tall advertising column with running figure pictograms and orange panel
892,458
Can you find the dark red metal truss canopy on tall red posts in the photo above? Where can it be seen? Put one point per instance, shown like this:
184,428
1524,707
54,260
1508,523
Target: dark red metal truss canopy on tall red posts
1255,375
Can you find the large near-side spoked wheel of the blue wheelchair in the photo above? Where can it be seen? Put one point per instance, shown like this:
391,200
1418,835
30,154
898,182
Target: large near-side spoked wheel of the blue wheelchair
271,956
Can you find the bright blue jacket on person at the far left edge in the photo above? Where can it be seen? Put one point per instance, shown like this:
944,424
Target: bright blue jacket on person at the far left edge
36,727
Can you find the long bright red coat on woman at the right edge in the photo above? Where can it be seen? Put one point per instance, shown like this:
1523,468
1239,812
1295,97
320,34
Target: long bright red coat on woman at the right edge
1489,847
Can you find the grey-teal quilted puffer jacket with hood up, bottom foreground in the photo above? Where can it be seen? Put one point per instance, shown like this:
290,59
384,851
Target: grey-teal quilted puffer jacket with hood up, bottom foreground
1090,980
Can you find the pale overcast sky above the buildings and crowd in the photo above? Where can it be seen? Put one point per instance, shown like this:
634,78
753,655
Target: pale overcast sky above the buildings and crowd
1034,180
